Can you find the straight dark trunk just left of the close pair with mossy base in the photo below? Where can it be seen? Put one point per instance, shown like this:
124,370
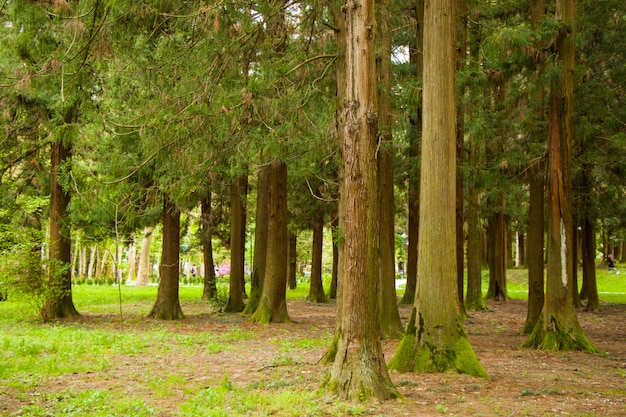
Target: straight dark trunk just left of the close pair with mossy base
237,245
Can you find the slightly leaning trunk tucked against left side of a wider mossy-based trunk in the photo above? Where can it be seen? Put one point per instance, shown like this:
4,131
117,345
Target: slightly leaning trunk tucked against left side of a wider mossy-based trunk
260,241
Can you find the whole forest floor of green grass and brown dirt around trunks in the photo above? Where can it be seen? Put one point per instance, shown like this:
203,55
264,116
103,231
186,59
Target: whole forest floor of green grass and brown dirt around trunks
218,364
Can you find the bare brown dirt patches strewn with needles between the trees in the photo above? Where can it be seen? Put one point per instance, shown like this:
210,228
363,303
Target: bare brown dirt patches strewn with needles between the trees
521,382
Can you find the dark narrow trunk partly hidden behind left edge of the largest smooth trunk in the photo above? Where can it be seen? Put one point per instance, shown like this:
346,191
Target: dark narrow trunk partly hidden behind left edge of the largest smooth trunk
416,58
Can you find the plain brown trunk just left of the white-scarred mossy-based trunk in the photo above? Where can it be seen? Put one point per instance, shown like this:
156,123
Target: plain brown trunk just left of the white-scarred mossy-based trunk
535,252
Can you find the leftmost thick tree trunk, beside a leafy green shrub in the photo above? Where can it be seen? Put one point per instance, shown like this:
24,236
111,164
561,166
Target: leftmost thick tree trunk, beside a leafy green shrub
58,302
